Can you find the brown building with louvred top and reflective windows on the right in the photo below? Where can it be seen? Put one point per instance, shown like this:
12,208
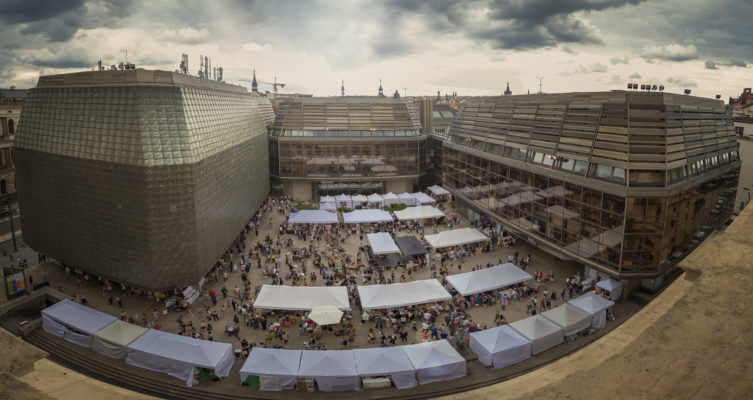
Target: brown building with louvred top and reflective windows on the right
623,182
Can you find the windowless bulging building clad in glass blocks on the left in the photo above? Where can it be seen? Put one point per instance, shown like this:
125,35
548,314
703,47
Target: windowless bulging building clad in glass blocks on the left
142,177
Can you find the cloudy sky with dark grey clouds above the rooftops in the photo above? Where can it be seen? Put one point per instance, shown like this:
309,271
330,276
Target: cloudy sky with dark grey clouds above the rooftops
472,47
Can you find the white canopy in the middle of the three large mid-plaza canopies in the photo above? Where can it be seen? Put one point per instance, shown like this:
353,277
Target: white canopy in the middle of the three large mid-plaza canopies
402,294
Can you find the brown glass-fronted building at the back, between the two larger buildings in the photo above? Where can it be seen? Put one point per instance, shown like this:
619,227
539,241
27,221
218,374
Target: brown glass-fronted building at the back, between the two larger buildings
321,146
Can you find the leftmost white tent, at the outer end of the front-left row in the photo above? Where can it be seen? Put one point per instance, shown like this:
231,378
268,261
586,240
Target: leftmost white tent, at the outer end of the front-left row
74,322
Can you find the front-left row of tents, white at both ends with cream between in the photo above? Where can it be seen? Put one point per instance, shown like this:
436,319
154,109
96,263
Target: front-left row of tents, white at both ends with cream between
175,355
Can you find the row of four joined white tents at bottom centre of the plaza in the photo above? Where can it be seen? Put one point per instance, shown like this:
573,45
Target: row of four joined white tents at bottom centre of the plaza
338,370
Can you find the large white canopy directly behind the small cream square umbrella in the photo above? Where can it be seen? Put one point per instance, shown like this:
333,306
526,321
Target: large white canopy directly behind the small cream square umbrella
295,298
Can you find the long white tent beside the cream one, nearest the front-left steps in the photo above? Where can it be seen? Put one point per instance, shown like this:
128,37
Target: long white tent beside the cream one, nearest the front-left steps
179,356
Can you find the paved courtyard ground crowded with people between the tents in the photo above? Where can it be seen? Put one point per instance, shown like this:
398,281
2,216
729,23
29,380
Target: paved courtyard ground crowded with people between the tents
145,310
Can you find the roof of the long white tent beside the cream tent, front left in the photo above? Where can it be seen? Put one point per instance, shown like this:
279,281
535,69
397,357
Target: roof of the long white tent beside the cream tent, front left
202,353
